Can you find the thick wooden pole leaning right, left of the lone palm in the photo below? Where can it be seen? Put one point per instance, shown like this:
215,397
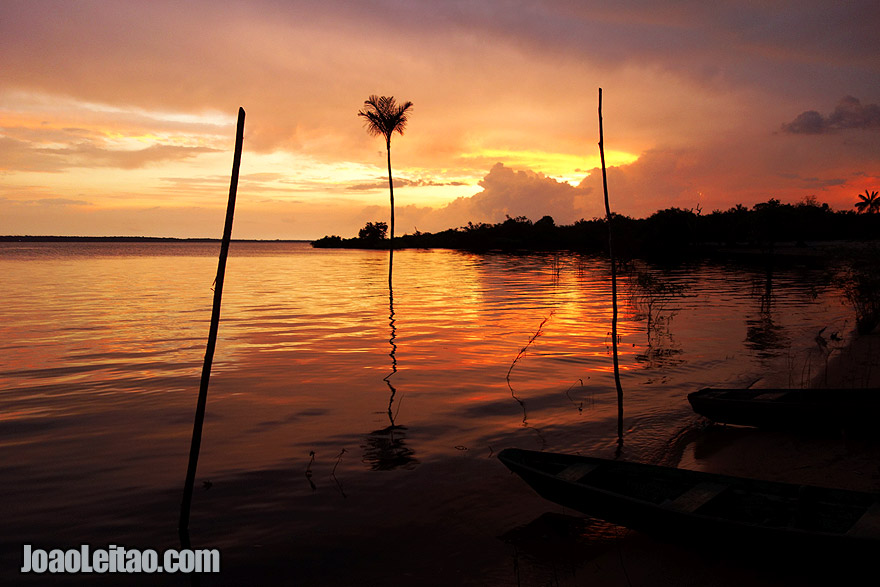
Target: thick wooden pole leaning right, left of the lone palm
212,333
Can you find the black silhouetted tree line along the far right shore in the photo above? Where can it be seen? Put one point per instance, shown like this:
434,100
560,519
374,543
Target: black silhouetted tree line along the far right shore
666,232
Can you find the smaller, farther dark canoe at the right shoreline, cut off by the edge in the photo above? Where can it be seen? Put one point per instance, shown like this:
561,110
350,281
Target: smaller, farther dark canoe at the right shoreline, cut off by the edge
809,409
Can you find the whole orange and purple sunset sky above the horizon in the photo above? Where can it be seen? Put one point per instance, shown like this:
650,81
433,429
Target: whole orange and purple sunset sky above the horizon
118,118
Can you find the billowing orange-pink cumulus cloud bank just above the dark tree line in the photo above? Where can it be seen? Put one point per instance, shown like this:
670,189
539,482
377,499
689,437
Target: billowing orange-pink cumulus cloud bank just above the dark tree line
709,177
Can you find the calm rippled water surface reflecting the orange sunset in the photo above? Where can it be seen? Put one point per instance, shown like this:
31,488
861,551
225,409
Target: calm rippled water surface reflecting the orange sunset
350,427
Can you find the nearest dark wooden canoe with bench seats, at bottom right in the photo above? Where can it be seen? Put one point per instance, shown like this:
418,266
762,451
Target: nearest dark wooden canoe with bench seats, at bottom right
695,506
